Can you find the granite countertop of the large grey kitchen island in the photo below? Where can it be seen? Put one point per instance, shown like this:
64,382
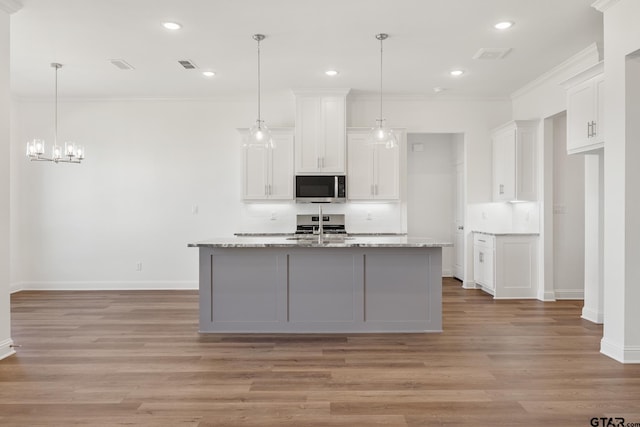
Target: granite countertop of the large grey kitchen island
332,241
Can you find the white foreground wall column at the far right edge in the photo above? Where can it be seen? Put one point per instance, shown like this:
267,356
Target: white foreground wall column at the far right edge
621,339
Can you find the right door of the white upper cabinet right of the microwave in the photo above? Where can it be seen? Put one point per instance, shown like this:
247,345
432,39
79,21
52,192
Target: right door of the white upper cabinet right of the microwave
386,169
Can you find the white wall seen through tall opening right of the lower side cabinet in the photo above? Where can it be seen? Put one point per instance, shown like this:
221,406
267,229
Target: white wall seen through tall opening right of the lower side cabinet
568,220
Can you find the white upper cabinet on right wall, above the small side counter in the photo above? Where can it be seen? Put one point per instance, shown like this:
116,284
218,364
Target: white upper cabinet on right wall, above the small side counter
514,161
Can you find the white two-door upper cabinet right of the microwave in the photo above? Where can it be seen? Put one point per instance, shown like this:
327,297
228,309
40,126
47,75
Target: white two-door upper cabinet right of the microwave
373,171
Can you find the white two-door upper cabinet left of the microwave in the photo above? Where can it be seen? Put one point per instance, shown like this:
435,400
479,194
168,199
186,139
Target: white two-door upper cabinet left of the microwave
268,173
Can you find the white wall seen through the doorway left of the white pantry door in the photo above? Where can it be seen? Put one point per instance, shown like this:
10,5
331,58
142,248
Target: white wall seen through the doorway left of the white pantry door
431,190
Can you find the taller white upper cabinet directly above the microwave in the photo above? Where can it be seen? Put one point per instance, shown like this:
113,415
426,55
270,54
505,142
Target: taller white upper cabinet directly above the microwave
320,132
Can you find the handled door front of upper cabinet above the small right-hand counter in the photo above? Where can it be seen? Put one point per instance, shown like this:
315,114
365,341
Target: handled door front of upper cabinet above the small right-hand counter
504,168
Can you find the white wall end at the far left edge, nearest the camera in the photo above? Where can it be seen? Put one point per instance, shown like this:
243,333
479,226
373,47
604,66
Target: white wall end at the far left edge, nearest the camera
5,300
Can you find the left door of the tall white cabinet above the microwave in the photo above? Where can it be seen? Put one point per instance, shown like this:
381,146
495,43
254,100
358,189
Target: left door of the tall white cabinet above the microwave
308,134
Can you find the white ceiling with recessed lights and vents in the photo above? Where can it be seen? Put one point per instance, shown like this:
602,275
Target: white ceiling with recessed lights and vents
427,38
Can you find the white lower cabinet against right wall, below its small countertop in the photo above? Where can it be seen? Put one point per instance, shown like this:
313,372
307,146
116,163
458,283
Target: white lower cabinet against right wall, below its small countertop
505,265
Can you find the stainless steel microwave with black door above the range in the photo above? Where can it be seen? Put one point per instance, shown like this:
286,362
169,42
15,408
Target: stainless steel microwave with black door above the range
321,188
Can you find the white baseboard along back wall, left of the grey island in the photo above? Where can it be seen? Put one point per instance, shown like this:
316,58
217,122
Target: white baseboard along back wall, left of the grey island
106,286
